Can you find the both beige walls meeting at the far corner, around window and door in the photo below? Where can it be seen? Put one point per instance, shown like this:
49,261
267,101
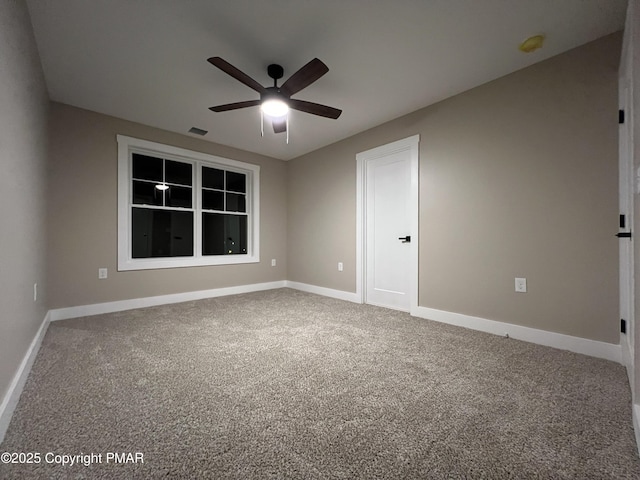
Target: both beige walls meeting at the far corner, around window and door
518,178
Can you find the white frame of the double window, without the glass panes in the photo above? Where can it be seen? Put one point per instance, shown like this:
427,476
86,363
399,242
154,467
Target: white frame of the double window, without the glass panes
129,145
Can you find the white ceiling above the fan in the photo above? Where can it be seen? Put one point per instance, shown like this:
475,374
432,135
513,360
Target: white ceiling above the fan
145,60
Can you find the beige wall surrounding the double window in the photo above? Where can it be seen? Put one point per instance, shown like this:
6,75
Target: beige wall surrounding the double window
83,215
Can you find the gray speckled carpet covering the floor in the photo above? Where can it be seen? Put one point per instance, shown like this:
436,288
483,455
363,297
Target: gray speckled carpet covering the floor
285,384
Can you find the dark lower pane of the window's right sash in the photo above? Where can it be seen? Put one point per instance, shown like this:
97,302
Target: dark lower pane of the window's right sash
224,234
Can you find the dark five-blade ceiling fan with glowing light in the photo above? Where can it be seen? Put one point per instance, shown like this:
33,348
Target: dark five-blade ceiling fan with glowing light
276,101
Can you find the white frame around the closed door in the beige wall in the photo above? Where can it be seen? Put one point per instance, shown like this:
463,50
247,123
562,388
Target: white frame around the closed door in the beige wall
410,144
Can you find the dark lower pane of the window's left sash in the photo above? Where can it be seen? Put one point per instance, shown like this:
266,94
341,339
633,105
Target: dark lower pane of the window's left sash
161,233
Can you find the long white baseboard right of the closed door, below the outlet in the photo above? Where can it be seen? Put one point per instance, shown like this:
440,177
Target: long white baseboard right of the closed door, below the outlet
593,348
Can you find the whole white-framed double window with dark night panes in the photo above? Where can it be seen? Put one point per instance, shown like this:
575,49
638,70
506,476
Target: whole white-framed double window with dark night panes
178,208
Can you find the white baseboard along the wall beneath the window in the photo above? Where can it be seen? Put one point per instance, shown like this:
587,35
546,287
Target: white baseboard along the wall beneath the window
121,305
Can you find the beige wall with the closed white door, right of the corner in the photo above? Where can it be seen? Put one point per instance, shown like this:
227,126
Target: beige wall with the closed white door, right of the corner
518,177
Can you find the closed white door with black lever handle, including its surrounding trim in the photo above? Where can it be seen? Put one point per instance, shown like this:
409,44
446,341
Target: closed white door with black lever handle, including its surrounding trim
390,224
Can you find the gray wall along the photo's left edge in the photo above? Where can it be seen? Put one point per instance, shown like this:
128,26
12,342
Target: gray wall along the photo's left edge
23,153
